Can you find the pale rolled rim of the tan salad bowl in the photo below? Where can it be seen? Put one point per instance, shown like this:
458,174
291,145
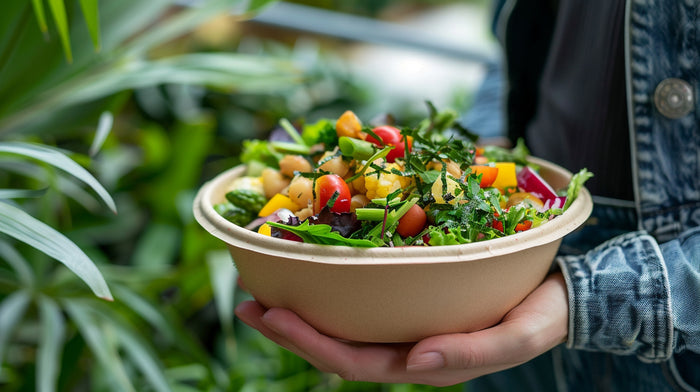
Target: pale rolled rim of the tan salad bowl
239,237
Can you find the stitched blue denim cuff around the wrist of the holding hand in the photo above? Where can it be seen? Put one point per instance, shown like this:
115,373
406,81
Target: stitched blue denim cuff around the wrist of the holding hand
619,299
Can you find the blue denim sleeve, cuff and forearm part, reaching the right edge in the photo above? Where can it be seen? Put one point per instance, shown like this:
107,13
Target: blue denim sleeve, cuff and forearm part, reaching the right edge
631,295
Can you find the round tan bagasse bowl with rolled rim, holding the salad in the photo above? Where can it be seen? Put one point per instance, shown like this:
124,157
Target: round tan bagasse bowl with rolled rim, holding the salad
393,294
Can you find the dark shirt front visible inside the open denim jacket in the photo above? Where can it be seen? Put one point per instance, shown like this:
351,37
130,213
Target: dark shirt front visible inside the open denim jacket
581,114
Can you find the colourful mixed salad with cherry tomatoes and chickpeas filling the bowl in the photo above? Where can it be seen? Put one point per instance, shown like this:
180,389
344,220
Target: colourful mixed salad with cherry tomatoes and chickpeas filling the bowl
343,182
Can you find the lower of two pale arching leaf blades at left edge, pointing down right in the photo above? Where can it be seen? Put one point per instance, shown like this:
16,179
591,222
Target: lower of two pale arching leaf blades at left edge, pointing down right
25,228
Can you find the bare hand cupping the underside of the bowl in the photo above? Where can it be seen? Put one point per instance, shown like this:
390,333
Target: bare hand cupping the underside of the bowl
535,326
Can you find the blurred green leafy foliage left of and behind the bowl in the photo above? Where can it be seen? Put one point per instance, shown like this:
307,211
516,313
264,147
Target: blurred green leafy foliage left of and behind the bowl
130,106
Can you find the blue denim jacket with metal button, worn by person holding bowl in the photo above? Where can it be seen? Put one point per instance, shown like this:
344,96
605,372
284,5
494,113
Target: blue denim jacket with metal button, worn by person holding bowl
634,292
